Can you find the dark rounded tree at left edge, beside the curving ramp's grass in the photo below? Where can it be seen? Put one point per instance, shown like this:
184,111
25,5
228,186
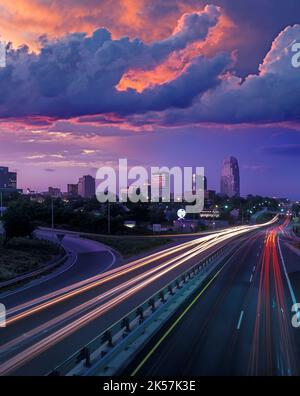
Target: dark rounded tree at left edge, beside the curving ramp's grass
17,224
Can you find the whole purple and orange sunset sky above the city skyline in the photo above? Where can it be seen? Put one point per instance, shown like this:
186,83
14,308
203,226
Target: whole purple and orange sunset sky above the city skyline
159,82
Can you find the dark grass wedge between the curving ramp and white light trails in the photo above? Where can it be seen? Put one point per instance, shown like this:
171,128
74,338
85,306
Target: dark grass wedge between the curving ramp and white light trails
129,247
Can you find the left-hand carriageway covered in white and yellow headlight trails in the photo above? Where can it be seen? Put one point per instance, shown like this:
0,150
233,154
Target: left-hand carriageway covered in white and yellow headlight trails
46,329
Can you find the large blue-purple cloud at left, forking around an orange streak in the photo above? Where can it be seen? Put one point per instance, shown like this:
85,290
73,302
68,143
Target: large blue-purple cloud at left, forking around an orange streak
77,75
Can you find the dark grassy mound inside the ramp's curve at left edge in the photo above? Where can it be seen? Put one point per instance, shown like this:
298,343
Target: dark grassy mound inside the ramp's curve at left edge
22,255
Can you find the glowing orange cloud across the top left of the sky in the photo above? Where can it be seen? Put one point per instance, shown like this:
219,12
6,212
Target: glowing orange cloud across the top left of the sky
24,21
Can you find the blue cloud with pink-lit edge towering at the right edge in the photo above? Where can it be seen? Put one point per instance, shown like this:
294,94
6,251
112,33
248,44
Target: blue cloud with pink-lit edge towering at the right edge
273,95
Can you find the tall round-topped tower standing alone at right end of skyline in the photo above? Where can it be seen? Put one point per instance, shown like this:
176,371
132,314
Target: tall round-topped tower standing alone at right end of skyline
230,177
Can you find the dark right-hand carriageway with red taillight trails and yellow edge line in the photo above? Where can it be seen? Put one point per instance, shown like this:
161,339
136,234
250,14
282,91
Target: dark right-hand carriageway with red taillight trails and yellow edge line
241,324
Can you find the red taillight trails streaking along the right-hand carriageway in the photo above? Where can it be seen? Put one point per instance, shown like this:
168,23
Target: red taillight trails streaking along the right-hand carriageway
266,343
